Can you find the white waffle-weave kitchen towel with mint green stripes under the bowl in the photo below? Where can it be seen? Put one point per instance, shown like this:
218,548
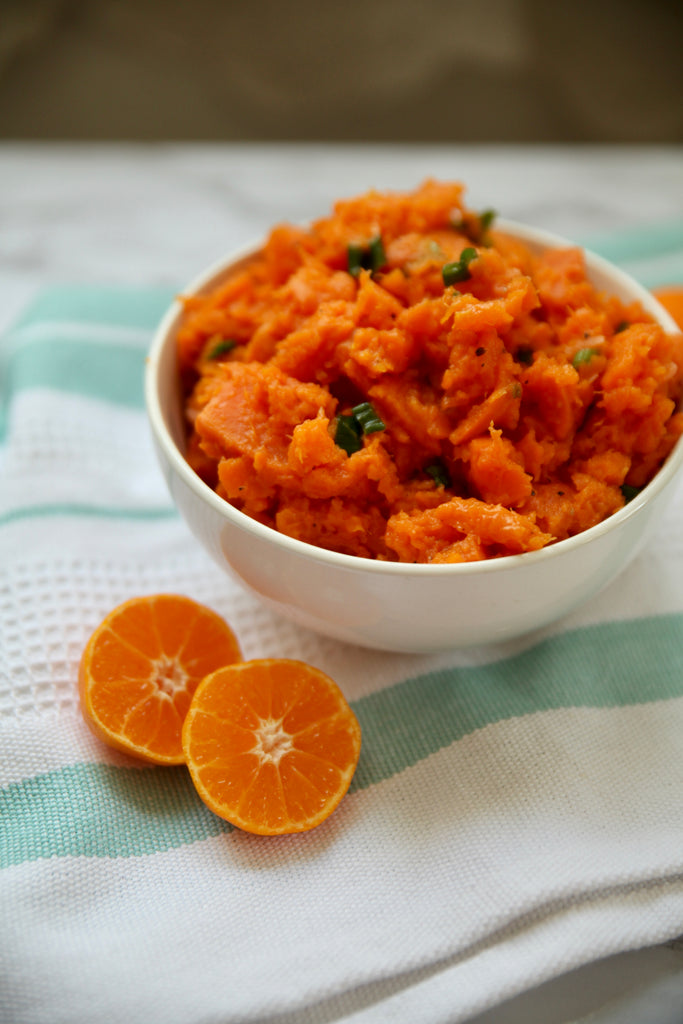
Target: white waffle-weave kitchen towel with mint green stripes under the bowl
518,810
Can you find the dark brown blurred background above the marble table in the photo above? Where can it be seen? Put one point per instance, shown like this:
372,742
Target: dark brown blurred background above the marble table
500,71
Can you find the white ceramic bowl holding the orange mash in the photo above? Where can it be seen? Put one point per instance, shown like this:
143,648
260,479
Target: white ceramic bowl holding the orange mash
391,606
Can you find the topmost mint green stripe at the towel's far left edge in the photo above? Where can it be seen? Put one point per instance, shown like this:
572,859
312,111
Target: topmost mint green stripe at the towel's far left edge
115,307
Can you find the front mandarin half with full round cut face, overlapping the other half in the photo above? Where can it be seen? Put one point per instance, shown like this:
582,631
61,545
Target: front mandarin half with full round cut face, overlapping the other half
272,745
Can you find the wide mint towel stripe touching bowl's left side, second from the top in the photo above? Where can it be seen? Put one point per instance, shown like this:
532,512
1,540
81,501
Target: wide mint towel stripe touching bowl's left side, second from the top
112,372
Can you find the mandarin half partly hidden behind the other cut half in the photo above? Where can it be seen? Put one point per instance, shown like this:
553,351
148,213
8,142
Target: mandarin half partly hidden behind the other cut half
141,668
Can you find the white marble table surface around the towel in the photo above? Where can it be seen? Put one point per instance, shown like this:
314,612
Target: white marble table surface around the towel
157,216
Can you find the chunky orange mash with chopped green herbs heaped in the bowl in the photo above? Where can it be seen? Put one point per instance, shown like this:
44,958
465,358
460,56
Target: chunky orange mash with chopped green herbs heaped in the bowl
514,406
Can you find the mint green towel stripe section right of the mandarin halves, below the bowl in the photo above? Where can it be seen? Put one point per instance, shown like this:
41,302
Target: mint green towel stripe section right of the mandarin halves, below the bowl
607,666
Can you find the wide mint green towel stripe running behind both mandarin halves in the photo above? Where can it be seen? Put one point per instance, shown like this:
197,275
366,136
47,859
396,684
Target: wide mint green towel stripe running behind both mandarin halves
100,810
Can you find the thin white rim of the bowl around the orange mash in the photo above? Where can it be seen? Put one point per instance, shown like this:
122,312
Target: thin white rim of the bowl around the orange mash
210,277
